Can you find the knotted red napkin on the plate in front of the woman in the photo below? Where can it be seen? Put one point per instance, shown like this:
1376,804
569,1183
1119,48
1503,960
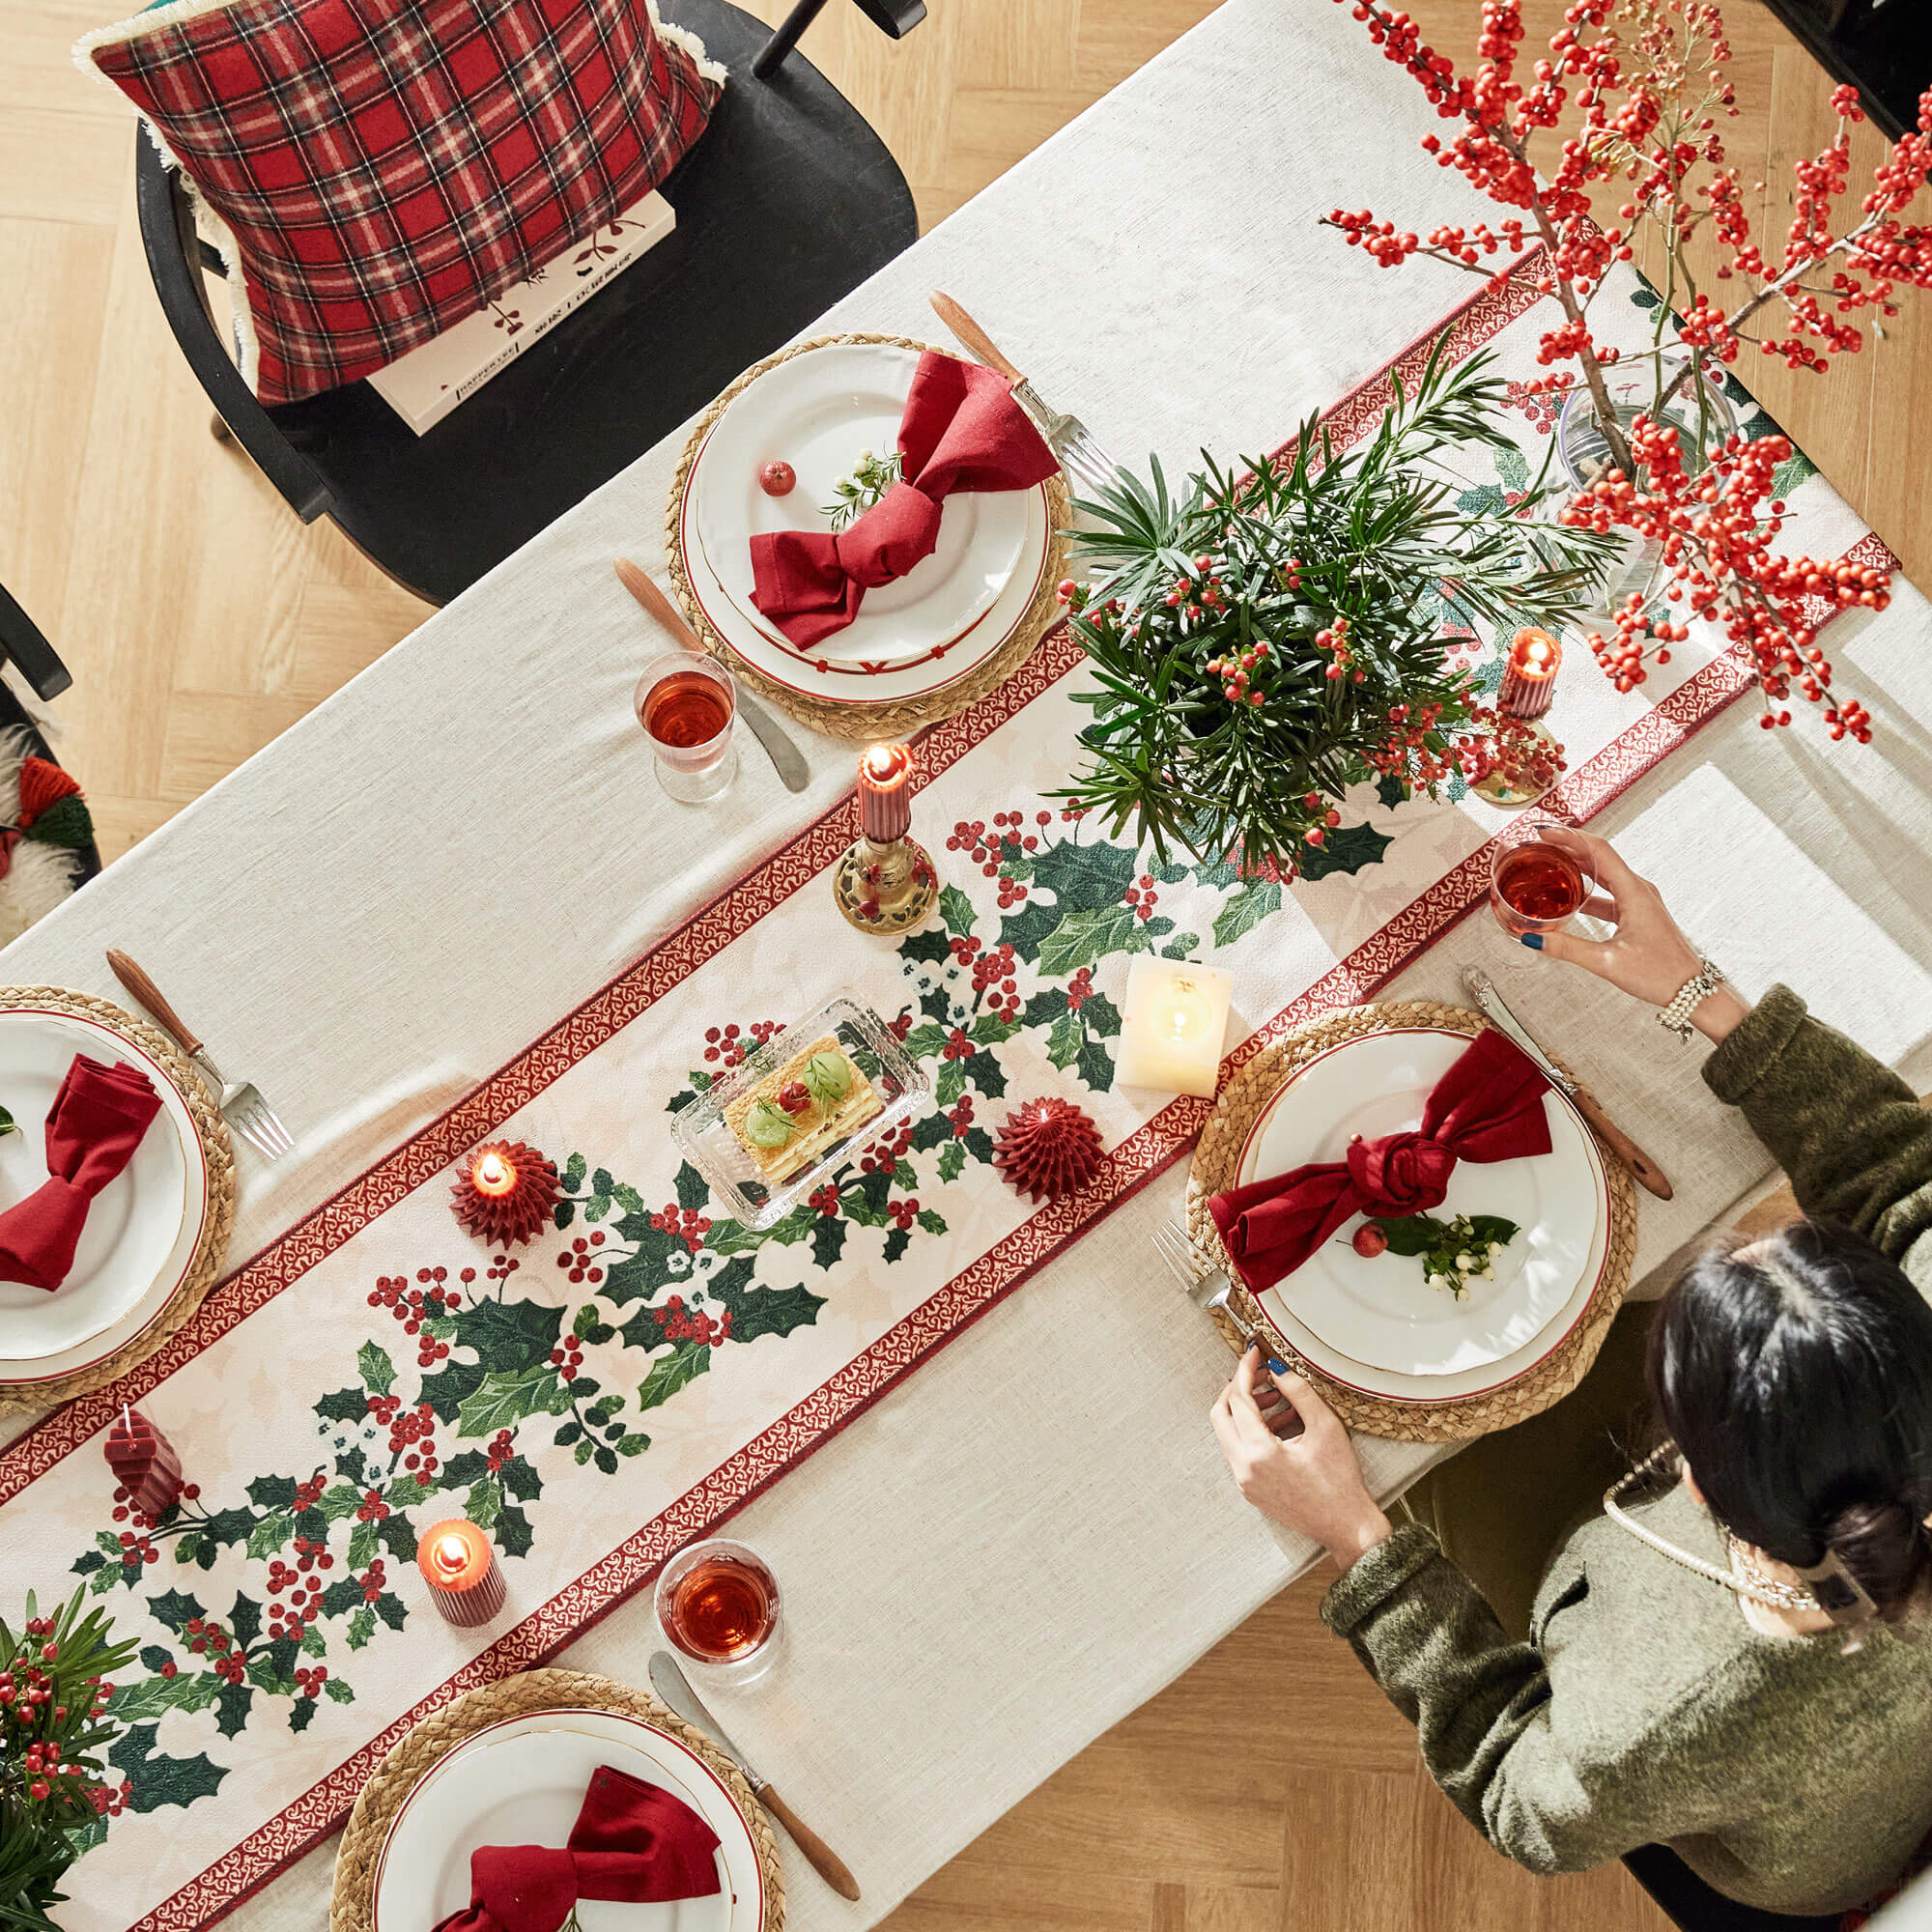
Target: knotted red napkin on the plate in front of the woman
1487,1108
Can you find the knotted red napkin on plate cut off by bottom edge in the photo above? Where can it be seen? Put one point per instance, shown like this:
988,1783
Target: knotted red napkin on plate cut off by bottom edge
631,1842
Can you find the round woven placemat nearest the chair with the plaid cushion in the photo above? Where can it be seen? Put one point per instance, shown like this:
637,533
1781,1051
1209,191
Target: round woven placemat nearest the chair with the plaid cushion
895,718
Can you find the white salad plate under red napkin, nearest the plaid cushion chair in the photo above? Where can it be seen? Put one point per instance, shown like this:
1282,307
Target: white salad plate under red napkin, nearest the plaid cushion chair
822,412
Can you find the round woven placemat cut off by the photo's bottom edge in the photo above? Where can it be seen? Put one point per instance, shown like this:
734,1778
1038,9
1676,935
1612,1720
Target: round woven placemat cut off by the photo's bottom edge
517,1697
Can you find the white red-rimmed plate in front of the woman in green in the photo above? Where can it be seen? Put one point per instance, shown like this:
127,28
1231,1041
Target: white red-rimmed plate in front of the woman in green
1375,1324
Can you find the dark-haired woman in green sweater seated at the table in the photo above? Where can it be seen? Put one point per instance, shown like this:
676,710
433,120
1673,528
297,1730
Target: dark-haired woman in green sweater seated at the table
1722,1651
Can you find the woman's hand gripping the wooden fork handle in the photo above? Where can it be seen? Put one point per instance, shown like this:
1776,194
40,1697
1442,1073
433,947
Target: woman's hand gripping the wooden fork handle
1309,1483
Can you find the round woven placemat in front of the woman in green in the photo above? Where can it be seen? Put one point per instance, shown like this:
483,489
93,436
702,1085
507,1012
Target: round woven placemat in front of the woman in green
1218,1156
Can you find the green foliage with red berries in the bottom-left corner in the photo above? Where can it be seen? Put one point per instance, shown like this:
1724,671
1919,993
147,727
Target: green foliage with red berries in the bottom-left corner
55,1794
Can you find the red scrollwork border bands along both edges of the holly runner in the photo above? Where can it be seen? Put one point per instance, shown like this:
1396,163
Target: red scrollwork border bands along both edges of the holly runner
965,1299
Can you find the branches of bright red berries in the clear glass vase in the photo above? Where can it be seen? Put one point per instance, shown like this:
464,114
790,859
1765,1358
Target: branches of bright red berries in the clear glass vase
1630,99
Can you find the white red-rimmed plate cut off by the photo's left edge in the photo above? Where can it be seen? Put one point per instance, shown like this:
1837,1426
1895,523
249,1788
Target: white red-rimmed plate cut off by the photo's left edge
142,1230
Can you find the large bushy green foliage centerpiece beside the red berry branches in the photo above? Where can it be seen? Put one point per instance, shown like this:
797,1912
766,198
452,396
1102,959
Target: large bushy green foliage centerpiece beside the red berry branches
1274,637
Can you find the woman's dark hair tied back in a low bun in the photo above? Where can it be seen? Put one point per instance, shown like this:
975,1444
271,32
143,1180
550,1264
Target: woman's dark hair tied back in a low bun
1796,1377
